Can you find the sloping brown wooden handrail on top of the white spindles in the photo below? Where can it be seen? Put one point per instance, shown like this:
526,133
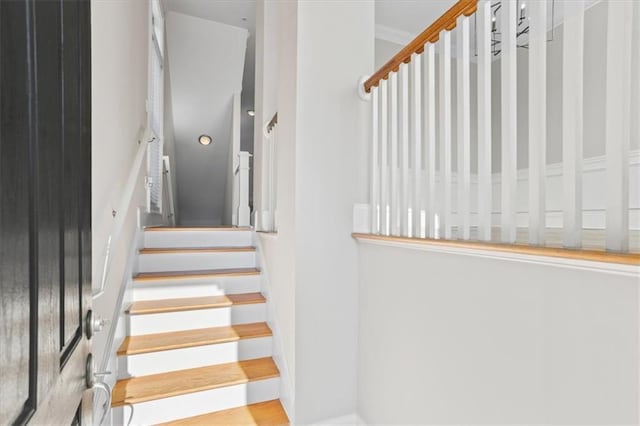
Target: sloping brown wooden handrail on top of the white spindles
430,35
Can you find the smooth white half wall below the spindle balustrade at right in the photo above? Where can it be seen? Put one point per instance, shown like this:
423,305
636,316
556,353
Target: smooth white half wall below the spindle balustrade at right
454,339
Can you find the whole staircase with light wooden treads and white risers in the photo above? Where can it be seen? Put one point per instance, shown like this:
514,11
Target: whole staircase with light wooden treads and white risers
198,348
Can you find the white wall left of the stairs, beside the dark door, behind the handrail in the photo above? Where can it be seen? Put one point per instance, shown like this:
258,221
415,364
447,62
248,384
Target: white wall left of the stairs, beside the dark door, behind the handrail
119,52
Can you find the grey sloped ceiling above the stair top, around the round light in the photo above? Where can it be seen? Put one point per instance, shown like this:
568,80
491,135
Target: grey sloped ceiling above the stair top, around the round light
206,60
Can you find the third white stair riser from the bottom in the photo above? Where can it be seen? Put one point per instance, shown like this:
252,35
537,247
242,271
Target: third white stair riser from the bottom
200,318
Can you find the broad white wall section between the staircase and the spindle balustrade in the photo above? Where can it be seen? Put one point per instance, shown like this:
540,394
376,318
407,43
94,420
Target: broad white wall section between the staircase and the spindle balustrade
329,138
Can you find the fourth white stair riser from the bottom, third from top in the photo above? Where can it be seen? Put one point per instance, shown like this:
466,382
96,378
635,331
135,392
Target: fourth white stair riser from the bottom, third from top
196,287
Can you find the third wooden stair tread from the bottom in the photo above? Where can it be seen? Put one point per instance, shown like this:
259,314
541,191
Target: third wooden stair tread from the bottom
133,345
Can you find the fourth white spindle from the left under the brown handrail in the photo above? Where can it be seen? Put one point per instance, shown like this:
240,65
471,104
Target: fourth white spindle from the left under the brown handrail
404,146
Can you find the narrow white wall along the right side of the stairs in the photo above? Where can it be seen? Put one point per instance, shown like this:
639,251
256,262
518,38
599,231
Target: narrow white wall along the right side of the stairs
276,71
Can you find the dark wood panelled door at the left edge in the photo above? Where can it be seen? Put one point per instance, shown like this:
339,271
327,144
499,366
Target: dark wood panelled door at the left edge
45,210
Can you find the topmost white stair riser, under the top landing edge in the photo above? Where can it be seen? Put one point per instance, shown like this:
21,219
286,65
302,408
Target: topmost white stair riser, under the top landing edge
166,239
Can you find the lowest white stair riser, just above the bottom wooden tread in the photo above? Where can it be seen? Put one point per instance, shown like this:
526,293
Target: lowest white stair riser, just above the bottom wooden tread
193,404
